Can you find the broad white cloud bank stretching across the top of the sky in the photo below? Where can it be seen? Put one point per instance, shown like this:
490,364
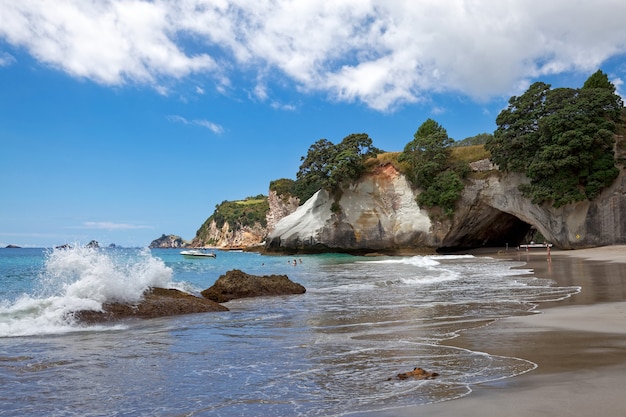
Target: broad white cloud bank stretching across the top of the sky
380,52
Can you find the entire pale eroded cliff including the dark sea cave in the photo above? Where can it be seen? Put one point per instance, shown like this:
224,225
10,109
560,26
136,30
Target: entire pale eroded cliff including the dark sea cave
380,213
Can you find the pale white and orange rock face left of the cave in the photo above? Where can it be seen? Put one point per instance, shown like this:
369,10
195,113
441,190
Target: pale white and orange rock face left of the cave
377,213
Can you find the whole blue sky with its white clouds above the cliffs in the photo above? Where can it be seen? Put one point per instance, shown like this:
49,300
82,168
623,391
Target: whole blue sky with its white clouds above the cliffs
121,120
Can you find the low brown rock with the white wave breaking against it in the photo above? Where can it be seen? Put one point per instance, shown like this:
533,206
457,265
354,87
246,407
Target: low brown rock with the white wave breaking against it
157,302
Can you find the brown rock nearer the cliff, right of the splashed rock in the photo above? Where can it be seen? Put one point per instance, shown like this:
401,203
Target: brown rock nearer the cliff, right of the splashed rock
237,284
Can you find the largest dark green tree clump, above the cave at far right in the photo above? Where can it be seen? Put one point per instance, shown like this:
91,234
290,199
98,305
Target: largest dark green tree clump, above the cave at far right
562,139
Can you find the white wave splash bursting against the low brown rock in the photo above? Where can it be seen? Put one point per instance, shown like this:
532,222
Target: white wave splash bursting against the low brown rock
80,279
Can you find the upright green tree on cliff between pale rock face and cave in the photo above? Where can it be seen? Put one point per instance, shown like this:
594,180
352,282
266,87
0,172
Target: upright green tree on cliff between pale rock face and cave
428,166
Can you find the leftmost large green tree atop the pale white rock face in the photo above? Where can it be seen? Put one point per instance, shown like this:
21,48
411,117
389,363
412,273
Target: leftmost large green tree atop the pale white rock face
329,166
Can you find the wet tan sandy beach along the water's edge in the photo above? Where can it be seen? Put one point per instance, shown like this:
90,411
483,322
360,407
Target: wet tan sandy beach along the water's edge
578,344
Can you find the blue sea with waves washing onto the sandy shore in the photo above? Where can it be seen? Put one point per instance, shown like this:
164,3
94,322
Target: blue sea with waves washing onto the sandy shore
333,351
